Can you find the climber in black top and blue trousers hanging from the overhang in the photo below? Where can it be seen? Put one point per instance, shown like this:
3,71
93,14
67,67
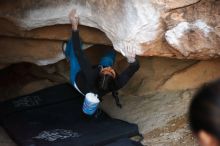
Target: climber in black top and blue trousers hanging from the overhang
100,79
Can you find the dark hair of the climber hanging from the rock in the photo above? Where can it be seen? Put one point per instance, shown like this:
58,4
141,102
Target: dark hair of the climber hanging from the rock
105,82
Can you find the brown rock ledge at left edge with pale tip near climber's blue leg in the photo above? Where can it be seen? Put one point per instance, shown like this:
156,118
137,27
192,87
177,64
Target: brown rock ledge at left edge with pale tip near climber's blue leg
41,52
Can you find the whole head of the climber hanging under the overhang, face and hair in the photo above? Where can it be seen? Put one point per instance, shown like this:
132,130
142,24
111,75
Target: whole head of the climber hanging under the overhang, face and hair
106,78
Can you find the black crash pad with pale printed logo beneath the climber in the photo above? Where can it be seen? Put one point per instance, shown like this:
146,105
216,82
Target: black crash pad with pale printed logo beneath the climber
53,117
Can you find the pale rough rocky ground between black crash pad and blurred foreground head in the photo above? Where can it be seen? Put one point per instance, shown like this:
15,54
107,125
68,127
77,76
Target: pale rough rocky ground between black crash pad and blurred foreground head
161,117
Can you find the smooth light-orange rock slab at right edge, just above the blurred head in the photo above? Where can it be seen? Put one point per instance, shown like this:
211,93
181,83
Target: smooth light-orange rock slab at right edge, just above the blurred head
194,76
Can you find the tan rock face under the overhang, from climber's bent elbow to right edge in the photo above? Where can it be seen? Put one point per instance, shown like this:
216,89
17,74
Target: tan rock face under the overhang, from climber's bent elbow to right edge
162,74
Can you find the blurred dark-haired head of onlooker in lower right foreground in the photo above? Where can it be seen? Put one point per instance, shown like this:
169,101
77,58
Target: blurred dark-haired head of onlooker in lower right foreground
204,114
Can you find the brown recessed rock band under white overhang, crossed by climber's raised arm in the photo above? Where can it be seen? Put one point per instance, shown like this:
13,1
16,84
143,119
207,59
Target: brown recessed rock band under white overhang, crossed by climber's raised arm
56,32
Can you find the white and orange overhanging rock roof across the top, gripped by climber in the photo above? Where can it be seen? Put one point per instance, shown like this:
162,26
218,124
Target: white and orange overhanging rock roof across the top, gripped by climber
180,29
